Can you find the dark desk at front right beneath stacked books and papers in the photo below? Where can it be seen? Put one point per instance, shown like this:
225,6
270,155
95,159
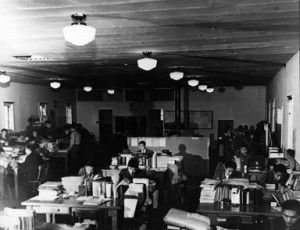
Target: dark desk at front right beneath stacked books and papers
246,212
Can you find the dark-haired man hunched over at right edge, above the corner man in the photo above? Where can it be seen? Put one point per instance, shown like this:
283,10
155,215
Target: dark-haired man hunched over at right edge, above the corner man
277,176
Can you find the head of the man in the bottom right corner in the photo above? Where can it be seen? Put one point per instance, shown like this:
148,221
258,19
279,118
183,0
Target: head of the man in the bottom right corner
291,212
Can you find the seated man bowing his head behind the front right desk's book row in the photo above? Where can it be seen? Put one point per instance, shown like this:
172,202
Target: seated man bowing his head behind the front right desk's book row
227,171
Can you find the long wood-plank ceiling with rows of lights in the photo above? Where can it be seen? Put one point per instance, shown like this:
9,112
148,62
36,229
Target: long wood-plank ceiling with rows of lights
222,43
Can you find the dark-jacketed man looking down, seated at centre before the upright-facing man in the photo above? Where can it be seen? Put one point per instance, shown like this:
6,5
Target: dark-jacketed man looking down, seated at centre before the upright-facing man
132,171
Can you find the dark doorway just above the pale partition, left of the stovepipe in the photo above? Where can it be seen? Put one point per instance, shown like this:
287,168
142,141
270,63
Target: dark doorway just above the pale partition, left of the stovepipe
155,123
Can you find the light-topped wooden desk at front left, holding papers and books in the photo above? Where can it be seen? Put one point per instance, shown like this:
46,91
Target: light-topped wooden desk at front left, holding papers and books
64,206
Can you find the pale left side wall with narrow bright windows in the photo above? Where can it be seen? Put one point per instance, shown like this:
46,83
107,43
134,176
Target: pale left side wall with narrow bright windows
26,98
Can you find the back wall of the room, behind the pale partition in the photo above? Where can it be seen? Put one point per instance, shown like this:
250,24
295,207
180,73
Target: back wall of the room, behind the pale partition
245,107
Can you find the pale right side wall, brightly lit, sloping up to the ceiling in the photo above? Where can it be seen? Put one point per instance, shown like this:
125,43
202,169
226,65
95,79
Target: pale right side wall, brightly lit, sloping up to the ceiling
285,83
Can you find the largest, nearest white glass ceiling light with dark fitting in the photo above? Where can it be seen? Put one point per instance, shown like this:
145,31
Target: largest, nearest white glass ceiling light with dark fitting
79,33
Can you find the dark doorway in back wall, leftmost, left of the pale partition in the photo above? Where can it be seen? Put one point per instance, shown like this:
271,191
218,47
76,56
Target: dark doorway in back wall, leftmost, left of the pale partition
105,117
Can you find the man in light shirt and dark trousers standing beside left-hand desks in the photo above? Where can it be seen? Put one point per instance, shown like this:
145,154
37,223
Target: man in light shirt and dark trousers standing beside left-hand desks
74,149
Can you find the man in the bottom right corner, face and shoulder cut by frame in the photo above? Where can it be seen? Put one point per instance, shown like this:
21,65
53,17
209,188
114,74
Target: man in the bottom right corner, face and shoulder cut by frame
290,219
